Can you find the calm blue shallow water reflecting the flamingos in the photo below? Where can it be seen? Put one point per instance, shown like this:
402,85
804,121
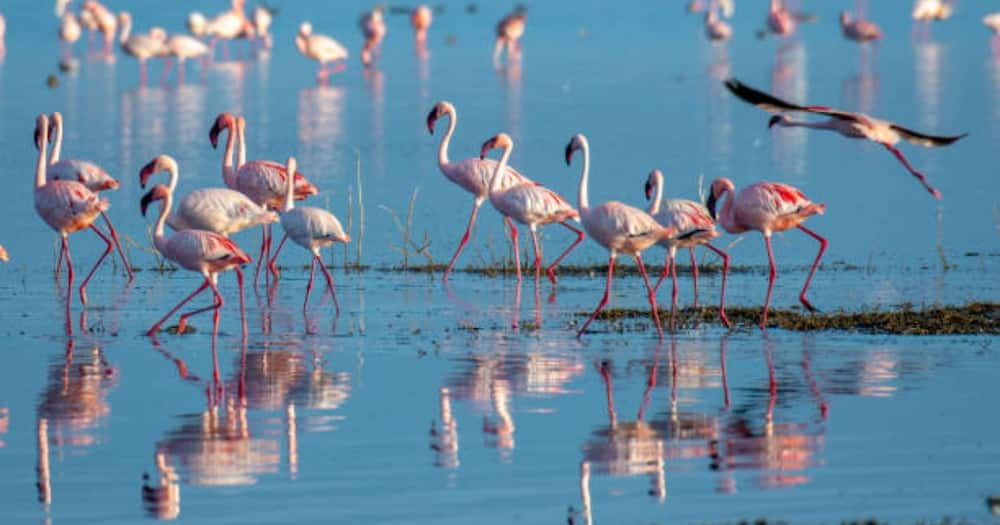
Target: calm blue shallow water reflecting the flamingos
353,420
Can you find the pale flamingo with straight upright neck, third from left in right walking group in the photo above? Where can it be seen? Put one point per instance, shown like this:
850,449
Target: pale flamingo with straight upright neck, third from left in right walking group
619,228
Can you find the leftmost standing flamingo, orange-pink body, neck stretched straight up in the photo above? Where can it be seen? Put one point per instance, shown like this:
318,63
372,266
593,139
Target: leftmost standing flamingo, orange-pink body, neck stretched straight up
67,206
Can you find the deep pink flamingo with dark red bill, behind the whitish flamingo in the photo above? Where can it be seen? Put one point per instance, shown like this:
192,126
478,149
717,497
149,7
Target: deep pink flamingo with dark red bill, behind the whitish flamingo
262,181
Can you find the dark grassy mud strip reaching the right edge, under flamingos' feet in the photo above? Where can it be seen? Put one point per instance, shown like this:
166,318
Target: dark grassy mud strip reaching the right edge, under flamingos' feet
971,318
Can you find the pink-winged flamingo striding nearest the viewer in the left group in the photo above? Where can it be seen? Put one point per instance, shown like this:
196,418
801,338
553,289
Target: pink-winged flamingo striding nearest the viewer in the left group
200,251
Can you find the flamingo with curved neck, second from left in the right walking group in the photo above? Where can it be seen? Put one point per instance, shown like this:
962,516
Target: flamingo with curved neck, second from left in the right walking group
530,204
